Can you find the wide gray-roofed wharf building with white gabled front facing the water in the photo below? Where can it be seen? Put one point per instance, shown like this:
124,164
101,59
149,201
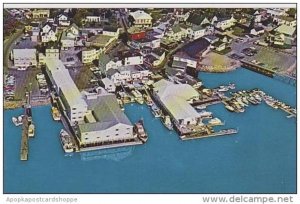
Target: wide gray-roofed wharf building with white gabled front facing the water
104,123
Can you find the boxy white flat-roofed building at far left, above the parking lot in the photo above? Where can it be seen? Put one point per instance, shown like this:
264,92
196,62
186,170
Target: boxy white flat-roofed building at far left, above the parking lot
24,57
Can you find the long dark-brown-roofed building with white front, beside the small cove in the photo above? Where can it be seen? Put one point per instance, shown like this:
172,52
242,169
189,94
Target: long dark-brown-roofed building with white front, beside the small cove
192,52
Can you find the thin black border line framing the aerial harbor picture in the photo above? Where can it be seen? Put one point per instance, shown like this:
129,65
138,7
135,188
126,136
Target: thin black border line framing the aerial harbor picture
188,3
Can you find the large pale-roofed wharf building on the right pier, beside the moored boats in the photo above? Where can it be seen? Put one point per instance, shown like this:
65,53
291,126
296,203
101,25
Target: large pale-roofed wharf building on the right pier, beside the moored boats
176,99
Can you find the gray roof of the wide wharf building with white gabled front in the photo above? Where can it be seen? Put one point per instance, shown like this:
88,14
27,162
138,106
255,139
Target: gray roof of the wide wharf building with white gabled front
107,113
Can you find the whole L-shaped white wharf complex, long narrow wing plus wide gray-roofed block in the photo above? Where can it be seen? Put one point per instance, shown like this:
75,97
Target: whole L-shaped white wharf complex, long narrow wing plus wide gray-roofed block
96,117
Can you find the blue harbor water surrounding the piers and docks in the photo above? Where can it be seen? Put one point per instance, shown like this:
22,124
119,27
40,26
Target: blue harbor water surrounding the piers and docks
261,158
